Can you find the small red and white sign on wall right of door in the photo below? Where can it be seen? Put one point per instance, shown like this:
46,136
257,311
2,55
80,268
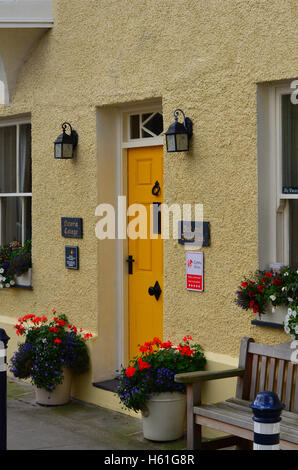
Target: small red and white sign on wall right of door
194,270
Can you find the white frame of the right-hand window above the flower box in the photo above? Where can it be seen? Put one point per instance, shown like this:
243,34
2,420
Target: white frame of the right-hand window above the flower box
273,204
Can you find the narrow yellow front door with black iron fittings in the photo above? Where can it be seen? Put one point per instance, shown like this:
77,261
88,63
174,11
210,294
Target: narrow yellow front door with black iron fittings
145,181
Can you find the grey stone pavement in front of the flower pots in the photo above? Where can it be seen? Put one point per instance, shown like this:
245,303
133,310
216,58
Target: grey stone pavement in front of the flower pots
75,426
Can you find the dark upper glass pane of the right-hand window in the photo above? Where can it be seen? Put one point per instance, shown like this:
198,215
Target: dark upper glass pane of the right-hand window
289,143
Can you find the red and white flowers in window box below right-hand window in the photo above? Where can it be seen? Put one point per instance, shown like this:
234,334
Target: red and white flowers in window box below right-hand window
269,288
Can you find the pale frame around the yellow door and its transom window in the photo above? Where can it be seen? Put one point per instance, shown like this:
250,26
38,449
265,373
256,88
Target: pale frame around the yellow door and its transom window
125,144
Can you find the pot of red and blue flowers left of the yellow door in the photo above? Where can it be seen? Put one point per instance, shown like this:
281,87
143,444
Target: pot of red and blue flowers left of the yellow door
52,352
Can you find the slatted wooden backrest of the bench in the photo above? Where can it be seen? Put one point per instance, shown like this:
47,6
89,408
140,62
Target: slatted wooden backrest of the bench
269,368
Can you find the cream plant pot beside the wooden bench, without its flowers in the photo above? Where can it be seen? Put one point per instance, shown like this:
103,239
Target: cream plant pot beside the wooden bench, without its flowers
164,418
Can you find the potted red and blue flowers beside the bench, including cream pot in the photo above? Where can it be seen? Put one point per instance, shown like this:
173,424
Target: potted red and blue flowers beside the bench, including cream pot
147,385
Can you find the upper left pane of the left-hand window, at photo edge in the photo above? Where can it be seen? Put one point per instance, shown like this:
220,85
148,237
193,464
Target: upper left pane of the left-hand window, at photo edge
8,159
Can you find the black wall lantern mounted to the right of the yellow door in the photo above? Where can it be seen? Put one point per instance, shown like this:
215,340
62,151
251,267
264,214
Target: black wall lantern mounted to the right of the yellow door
179,134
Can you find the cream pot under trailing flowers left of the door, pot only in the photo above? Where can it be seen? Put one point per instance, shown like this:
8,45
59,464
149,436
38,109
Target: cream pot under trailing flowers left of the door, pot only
59,396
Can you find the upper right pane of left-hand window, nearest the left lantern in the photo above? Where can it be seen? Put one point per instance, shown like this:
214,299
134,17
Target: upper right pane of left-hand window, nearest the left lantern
25,167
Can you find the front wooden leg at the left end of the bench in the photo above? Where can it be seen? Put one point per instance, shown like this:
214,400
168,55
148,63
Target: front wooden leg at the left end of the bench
194,431
